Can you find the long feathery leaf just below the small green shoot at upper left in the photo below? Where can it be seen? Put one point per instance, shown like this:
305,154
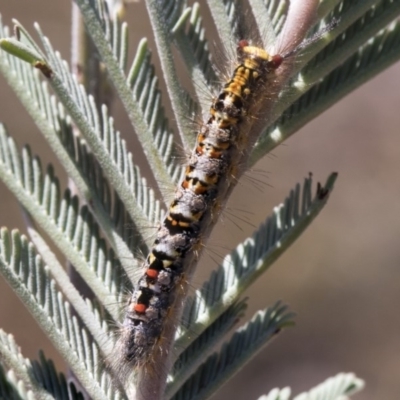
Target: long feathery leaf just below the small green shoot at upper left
78,162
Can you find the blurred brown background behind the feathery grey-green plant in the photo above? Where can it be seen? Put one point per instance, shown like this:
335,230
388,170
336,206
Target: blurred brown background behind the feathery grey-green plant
342,277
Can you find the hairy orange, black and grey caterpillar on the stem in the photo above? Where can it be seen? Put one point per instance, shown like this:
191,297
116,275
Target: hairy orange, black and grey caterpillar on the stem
219,143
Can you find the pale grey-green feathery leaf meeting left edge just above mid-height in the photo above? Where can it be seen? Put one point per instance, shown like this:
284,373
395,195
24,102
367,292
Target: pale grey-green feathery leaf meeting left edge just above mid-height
71,228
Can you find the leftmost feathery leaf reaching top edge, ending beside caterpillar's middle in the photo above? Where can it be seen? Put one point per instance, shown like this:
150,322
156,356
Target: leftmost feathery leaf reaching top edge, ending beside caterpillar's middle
149,123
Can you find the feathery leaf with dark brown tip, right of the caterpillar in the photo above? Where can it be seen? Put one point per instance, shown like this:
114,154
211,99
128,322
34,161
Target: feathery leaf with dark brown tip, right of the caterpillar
252,258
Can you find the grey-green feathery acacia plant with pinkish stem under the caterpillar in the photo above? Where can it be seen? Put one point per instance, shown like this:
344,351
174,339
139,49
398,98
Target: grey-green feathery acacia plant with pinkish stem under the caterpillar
349,41
